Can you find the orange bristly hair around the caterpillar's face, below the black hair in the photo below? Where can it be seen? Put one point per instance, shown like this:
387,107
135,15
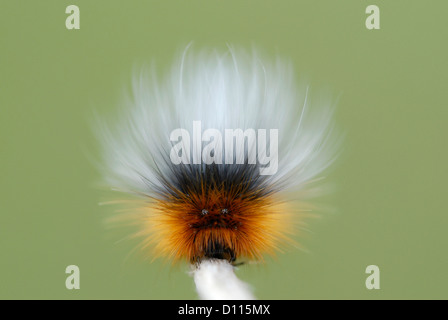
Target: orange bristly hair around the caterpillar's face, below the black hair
217,225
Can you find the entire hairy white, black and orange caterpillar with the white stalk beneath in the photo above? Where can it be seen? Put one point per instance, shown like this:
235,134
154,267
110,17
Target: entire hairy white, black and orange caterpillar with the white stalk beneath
196,205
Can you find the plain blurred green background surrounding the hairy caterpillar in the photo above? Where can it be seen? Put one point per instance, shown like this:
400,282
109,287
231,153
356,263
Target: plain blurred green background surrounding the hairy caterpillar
391,179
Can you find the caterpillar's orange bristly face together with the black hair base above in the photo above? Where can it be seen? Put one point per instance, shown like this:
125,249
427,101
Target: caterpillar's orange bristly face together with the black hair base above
220,211
